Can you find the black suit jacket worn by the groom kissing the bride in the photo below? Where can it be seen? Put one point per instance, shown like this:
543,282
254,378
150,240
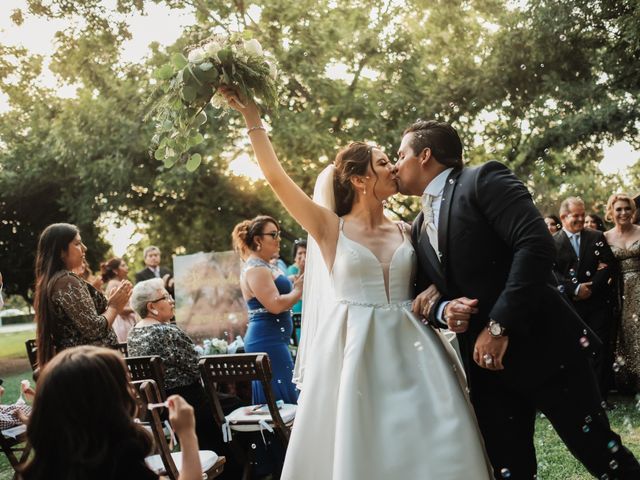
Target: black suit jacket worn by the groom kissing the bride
495,247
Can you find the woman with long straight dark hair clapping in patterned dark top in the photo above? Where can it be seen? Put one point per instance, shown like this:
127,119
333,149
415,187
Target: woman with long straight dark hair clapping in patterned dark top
70,311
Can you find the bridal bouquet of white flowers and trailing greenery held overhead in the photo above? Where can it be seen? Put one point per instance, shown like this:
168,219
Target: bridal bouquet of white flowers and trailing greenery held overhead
189,83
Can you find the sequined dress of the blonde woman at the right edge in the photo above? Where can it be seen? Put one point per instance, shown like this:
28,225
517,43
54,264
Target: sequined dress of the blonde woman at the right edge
628,341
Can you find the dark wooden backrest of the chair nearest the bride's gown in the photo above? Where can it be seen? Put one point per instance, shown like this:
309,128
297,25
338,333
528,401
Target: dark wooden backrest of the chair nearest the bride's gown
238,368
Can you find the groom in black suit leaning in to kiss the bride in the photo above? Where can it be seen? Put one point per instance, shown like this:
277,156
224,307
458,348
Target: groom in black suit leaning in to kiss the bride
480,240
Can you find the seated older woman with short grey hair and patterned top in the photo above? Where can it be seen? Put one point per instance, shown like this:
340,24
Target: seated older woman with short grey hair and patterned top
155,335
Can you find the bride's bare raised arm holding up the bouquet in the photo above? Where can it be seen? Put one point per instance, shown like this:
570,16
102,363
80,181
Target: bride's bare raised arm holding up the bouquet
312,217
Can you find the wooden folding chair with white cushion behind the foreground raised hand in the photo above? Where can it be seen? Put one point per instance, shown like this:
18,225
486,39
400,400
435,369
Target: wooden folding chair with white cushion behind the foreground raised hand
166,462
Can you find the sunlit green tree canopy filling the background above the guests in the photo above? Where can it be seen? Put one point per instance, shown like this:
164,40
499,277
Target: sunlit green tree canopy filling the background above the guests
539,87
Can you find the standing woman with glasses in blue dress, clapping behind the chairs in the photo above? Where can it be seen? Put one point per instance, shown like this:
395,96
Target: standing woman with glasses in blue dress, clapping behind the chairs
270,295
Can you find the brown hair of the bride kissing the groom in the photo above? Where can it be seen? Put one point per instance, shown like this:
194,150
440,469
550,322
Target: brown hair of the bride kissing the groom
350,161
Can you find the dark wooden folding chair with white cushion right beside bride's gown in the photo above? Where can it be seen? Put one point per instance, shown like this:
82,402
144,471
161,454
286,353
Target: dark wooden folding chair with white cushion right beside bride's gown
245,367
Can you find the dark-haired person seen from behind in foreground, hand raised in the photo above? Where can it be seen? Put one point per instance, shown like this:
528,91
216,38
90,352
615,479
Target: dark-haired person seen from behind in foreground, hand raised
82,424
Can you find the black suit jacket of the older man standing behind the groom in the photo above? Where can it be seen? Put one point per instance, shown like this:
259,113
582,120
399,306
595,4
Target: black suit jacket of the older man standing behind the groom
571,271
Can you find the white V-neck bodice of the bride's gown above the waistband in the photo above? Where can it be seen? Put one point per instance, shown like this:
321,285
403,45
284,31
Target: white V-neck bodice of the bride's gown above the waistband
358,276
